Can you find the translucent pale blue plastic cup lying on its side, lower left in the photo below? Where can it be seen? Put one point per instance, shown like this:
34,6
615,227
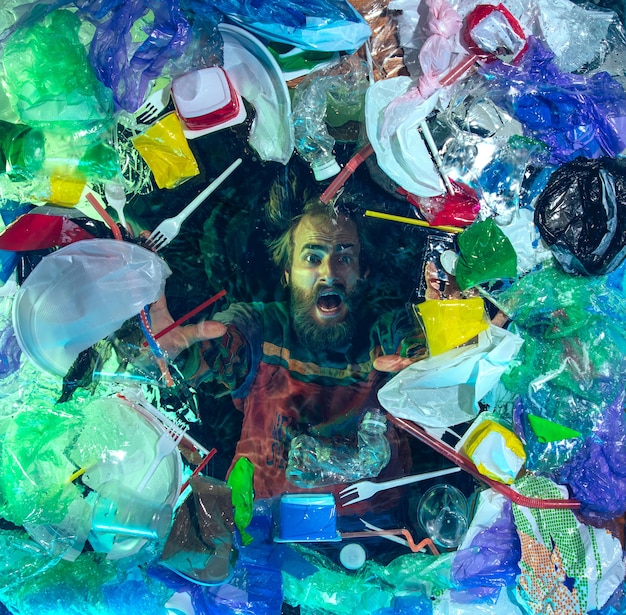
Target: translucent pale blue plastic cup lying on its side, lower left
121,510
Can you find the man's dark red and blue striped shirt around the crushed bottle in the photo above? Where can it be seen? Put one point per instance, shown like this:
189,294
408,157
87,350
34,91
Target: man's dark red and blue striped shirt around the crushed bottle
285,390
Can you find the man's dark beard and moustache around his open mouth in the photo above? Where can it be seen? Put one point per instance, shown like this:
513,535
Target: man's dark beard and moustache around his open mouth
333,335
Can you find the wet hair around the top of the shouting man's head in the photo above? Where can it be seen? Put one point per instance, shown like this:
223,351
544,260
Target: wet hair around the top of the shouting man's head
281,248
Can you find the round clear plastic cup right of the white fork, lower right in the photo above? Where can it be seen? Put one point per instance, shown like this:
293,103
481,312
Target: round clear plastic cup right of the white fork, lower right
443,513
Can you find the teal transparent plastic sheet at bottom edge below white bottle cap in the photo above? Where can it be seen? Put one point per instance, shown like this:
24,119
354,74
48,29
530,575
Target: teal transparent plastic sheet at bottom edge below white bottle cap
373,587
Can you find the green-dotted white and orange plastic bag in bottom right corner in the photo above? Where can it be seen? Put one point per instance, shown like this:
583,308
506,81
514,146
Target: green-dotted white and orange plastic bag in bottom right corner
564,561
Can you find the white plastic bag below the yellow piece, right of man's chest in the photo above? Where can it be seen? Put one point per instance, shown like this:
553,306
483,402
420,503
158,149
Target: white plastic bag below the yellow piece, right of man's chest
445,390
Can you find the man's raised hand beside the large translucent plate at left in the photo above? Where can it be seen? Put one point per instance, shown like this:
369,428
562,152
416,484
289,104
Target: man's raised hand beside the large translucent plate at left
182,337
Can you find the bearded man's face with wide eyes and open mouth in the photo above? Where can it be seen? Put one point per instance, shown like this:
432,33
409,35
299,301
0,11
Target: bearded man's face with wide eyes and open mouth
324,279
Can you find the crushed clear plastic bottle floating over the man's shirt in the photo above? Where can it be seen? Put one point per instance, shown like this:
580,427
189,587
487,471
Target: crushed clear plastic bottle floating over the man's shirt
315,462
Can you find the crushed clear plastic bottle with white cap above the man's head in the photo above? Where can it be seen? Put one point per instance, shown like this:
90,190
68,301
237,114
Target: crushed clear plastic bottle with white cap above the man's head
346,82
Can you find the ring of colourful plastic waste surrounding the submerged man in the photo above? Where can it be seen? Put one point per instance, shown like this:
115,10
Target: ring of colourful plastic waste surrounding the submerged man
497,130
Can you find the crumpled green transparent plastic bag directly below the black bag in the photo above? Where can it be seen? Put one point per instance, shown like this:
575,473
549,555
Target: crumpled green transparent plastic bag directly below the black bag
561,318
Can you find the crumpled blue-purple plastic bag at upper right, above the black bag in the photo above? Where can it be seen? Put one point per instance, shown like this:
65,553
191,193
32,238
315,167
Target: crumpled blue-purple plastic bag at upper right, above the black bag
573,114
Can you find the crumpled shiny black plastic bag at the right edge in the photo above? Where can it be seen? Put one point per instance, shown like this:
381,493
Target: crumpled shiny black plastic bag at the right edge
581,215
